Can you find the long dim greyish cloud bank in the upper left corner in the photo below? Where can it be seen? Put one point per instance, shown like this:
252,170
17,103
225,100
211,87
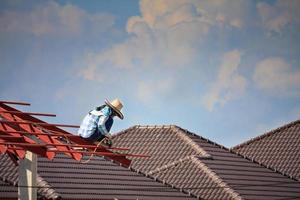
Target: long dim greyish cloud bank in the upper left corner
53,19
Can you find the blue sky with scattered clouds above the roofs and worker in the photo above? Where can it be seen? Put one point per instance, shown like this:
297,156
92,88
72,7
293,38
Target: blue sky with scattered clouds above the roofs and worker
228,70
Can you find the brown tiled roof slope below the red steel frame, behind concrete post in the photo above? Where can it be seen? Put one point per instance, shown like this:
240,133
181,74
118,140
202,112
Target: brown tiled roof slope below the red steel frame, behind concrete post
66,178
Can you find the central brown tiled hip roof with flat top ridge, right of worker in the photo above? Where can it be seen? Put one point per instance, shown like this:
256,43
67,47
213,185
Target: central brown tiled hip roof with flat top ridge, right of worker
202,167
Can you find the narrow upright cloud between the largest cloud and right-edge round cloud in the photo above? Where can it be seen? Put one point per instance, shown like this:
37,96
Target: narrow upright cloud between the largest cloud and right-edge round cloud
229,84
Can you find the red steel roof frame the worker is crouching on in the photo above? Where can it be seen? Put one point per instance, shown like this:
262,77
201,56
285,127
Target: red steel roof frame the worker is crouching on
21,132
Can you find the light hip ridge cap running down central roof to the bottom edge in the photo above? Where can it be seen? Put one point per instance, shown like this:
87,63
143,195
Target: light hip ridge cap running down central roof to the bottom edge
217,179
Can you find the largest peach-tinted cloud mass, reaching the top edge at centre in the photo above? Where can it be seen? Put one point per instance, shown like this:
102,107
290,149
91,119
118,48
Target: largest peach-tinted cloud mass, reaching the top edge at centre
168,33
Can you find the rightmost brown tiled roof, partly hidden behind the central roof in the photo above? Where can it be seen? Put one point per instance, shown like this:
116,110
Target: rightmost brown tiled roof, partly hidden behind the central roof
278,149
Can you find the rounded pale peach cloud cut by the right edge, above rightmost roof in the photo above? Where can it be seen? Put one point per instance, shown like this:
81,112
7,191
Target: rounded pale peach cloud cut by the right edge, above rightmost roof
275,76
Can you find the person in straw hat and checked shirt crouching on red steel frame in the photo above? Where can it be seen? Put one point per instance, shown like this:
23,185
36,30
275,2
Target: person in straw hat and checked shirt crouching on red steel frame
98,122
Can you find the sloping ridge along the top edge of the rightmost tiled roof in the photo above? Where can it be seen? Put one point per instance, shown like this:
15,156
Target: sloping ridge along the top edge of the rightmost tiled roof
266,134
